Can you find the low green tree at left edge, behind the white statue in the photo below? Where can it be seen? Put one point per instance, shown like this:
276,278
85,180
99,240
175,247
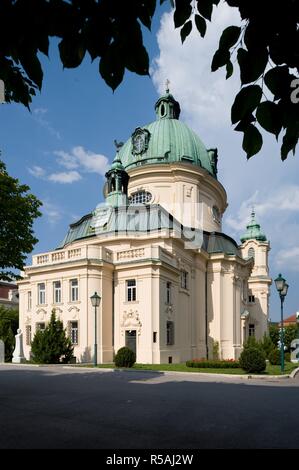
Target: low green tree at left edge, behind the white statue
9,323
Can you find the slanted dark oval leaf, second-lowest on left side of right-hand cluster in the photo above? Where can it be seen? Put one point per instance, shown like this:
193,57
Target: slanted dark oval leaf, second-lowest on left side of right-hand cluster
245,102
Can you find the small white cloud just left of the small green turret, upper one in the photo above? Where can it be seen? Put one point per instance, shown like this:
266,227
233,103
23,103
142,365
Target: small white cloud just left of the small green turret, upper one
84,159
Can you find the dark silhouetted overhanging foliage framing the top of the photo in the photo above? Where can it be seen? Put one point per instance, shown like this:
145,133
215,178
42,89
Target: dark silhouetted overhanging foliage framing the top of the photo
265,46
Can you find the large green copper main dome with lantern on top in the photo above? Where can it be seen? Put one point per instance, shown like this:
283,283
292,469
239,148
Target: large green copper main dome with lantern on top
167,140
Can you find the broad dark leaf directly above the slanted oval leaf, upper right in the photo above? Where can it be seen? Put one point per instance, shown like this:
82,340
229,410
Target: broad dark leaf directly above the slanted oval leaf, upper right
252,65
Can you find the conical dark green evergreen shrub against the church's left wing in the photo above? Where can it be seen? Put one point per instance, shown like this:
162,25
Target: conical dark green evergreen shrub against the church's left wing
51,345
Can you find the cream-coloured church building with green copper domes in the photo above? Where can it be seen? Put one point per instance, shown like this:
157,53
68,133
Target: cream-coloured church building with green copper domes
173,286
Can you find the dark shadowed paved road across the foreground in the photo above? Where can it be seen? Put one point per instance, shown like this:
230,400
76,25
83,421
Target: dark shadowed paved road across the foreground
80,408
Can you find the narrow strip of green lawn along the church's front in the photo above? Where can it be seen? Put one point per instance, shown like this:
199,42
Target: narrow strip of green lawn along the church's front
270,370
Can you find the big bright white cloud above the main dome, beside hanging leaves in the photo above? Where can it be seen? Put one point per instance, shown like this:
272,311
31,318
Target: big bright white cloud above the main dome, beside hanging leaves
207,97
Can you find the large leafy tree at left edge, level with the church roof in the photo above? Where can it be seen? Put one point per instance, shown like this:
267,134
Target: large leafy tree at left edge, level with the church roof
18,209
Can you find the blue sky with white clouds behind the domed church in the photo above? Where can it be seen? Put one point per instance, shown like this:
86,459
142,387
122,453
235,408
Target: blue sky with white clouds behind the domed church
63,147
